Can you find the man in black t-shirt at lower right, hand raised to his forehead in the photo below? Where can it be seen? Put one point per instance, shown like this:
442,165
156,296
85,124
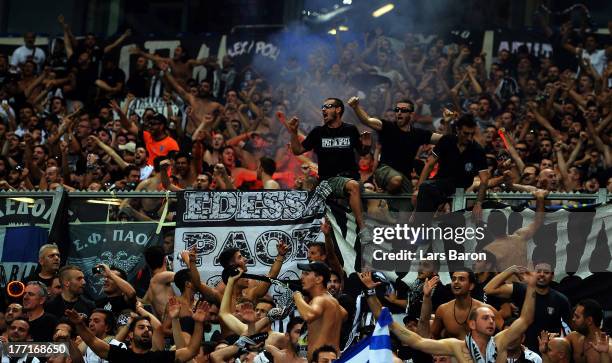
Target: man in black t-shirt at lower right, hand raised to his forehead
552,309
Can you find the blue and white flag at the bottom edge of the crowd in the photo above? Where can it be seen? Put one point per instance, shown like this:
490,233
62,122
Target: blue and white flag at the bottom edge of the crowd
374,349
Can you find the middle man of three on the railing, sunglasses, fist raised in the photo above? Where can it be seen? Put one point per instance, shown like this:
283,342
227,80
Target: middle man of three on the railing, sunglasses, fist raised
400,143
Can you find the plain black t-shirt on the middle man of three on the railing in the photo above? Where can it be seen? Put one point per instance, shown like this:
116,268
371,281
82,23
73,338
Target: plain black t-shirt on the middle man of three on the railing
399,148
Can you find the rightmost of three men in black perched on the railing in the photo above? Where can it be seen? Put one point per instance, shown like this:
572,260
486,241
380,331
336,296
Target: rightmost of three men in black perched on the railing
459,160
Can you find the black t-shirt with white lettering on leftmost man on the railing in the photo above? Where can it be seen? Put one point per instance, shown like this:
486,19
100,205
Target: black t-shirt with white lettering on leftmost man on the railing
335,149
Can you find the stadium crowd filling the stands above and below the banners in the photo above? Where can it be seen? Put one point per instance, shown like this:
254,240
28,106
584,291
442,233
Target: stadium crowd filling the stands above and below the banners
442,121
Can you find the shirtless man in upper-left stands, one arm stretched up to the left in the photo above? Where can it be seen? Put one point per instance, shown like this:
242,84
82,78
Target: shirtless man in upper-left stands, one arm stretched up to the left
201,106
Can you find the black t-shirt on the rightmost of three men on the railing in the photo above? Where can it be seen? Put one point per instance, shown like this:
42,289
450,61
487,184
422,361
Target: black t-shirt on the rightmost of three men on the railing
462,167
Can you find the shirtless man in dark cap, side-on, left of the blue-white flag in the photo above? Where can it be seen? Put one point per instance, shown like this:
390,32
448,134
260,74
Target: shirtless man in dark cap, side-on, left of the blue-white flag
323,313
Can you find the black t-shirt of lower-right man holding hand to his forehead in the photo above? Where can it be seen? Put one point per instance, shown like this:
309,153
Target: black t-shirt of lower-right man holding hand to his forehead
549,311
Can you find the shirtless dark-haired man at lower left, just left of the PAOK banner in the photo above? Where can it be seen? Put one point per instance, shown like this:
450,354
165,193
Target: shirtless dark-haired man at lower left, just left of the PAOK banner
160,289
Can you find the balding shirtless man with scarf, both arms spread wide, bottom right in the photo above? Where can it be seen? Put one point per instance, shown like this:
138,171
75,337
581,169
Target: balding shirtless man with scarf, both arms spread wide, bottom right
481,342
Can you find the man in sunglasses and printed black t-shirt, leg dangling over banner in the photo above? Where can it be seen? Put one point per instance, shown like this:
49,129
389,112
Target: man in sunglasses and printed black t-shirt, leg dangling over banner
336,145
